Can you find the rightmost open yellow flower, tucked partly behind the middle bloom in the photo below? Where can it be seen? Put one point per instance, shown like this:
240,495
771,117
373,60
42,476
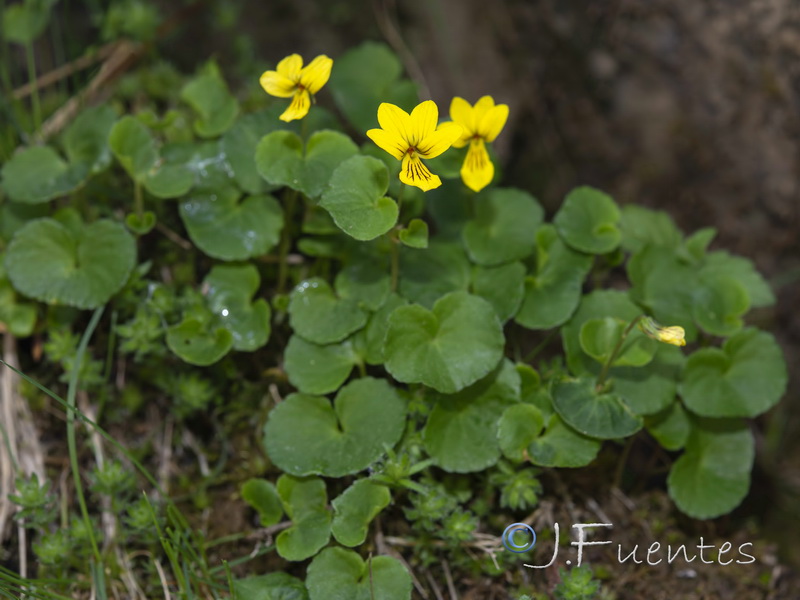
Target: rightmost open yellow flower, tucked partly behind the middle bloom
481,124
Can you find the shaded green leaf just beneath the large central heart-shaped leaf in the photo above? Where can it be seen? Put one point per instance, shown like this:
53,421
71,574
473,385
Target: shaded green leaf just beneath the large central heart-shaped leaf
461,431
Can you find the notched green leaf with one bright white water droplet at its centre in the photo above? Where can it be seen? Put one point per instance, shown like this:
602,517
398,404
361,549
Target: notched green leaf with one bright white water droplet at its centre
230,292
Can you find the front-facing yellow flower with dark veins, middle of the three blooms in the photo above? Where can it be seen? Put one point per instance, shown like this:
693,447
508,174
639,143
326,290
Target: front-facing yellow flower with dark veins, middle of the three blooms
412,137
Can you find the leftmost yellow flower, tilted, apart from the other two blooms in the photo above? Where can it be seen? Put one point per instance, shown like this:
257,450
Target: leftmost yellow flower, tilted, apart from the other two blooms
293,80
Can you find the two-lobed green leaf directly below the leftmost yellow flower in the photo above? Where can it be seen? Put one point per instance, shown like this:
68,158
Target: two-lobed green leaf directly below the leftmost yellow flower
281,161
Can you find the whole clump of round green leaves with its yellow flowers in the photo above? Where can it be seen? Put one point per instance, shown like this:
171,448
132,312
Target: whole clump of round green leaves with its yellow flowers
386,281
